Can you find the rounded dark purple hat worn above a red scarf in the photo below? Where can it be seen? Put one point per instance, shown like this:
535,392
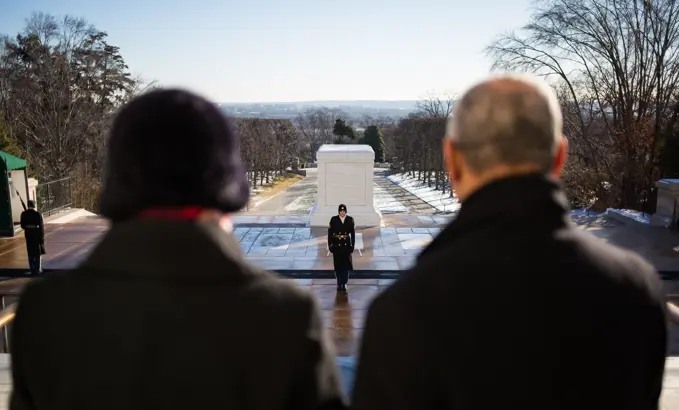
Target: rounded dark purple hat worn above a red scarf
172,148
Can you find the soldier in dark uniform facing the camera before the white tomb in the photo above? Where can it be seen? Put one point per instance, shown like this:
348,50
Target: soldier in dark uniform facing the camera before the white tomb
341,241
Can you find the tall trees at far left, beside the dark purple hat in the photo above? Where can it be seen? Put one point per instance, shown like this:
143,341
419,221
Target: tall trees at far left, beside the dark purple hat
60,83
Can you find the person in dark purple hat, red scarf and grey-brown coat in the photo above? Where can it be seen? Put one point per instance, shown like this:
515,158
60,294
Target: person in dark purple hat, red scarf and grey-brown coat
165,312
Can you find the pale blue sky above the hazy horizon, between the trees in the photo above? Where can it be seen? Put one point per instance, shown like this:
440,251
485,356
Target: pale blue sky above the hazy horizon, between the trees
296,50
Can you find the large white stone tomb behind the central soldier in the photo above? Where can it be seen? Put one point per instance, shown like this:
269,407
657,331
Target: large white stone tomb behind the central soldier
345,176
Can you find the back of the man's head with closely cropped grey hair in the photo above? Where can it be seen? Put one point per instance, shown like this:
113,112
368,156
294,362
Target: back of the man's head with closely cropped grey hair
509,120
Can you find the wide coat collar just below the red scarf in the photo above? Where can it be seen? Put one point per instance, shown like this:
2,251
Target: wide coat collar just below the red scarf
149,247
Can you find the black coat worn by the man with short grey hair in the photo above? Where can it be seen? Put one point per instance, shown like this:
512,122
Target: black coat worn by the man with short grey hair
512,307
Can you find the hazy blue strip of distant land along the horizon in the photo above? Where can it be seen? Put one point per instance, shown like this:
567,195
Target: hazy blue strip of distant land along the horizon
289,110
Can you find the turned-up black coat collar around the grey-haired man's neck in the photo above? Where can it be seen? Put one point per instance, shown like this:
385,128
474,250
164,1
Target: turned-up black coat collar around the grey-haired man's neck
527,202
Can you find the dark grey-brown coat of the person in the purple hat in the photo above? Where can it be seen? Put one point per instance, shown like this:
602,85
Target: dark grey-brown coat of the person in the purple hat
168,315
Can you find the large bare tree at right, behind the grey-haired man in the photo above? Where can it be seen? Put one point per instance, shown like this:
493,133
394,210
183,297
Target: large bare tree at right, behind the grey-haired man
617,66
